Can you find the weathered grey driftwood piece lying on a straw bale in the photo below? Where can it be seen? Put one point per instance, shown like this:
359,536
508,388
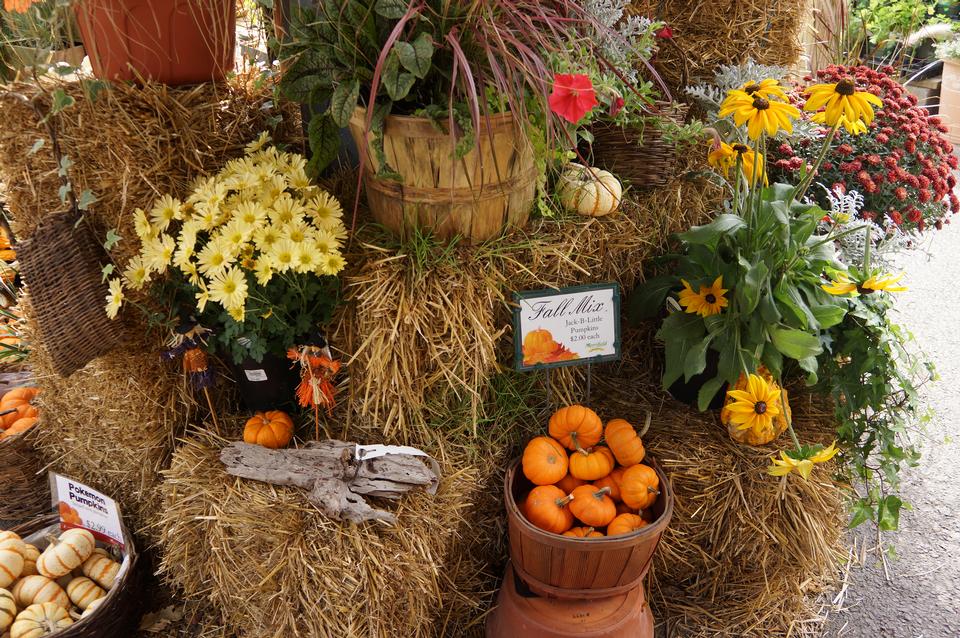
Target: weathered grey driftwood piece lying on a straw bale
336,480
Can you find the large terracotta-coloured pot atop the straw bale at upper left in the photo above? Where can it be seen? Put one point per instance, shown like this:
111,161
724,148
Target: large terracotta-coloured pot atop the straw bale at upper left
170,41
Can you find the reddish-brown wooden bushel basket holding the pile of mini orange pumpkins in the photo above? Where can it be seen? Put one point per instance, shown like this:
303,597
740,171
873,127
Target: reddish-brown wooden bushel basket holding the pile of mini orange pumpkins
582,568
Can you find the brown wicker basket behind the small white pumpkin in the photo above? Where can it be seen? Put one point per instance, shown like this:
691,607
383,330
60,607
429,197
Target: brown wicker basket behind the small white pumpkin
639,156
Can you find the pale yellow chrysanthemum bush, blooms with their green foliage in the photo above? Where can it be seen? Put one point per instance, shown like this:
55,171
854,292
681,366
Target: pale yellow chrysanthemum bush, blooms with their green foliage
251,255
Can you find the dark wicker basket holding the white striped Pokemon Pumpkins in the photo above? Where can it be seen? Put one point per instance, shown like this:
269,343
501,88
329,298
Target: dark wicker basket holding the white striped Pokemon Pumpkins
118,615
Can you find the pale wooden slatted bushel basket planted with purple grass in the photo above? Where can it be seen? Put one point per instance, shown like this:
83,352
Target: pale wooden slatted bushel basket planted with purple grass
488,191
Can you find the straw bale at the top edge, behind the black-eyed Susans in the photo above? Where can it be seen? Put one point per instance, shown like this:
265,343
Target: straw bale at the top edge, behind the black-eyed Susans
708,33
